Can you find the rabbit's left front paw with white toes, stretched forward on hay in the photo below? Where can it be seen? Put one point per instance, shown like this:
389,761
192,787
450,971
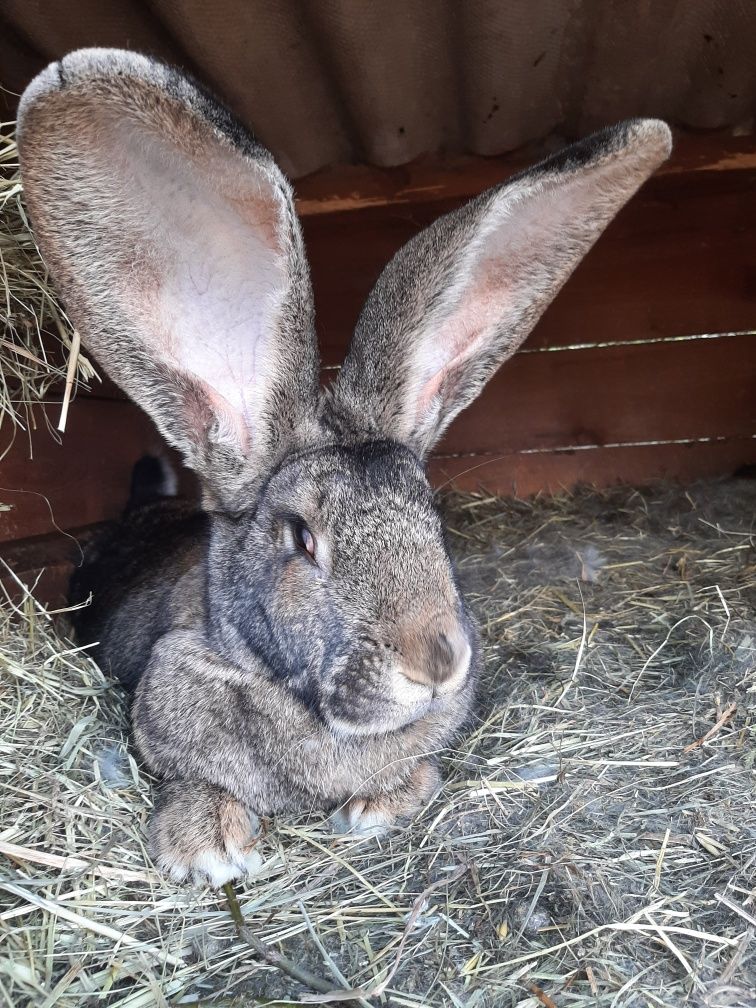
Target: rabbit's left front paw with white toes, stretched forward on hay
203,835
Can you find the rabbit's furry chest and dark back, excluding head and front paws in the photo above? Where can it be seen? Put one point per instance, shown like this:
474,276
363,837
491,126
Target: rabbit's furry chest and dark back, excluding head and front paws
155,636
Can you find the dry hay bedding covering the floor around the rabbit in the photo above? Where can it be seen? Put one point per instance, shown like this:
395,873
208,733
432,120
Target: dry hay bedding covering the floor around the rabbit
594,844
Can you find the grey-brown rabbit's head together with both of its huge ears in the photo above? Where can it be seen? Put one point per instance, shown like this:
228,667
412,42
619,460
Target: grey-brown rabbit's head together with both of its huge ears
174,239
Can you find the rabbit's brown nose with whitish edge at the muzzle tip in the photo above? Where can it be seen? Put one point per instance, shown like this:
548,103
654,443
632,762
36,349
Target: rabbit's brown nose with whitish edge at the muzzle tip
436,656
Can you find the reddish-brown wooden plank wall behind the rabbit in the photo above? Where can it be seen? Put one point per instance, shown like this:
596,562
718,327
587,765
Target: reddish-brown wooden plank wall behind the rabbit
612,386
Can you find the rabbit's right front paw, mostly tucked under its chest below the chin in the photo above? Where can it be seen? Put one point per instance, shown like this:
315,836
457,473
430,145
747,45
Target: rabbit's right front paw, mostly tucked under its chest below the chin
375,816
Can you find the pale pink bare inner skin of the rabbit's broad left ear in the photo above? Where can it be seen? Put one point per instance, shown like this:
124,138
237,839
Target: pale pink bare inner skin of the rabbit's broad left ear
201,265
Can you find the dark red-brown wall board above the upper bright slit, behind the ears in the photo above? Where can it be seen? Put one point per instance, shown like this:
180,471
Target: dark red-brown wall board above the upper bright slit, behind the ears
680,260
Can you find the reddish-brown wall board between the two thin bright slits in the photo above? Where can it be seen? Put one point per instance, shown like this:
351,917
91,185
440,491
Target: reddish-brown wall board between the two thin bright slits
660,392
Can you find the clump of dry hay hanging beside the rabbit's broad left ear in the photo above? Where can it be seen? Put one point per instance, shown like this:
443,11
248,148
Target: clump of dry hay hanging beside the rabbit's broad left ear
39,349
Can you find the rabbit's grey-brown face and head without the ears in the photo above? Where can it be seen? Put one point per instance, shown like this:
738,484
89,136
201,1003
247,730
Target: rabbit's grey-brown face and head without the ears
341,580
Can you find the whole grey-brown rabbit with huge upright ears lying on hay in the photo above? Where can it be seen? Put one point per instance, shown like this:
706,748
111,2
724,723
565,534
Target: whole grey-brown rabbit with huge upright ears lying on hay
302,643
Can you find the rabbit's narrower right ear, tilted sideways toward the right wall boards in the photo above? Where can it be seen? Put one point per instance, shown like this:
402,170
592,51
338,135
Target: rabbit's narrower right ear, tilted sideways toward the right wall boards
462,296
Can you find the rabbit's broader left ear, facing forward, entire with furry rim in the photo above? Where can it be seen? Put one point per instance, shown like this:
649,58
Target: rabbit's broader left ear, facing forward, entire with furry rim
173,237
